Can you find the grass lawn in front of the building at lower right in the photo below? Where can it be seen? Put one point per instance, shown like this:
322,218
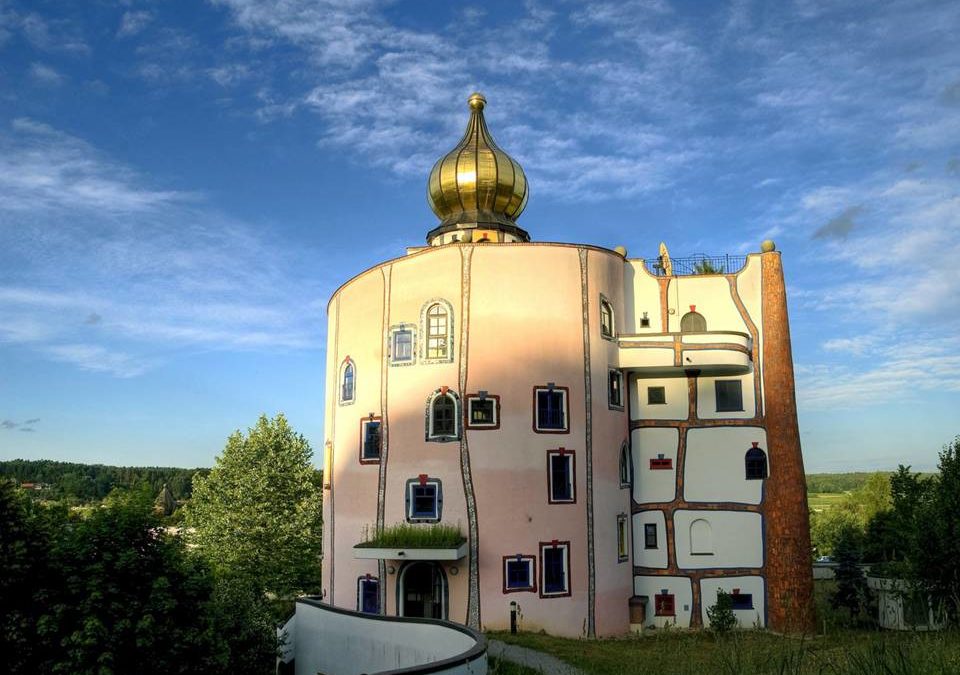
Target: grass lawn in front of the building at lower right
845,649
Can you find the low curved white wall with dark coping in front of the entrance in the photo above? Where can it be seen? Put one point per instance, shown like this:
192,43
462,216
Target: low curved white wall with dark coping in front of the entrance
344,644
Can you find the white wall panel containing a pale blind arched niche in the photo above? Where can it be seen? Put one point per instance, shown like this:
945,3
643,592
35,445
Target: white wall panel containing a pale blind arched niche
737,539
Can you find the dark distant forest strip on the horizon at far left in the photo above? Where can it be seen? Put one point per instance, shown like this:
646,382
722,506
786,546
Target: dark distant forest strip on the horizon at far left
92,482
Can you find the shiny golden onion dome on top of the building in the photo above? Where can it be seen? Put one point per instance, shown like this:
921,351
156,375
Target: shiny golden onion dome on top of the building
477,186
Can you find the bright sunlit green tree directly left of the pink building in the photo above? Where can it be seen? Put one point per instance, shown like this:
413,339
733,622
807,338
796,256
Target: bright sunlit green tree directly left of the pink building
258,514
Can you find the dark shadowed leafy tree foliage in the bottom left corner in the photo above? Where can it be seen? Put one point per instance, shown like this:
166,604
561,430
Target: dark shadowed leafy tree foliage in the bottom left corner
113,593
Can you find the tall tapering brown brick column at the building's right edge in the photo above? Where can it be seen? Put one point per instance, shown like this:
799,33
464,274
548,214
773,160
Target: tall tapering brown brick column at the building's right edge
787,523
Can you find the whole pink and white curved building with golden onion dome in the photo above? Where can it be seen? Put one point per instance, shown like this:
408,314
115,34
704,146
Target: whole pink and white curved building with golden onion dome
615,438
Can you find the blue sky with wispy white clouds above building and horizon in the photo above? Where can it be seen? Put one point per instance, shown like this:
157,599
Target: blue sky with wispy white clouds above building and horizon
184,184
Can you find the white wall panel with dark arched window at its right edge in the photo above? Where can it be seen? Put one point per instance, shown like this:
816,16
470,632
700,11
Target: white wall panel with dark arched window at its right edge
714,466
